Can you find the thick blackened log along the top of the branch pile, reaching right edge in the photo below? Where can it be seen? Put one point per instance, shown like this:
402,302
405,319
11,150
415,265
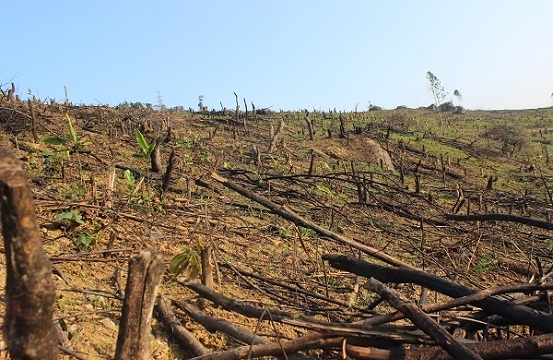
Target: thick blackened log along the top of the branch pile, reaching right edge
516,314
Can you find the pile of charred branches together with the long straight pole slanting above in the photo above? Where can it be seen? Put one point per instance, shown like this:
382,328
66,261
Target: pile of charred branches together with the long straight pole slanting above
511,321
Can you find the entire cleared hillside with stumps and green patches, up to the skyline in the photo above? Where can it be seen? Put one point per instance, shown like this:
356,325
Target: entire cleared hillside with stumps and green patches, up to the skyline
403,182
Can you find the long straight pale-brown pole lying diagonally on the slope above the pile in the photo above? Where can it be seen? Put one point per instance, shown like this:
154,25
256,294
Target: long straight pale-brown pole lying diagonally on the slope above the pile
290,215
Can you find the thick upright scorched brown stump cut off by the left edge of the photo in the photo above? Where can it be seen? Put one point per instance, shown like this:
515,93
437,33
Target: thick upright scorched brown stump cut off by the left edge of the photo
28,324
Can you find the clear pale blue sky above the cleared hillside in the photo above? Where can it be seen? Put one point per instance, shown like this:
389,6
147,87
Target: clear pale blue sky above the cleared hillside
285,54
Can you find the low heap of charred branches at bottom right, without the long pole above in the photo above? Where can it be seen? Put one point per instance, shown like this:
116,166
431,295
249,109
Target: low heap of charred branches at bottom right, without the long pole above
472,325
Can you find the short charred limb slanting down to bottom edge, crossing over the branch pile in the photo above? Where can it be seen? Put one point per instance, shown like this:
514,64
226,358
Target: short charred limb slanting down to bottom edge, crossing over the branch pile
423,322
